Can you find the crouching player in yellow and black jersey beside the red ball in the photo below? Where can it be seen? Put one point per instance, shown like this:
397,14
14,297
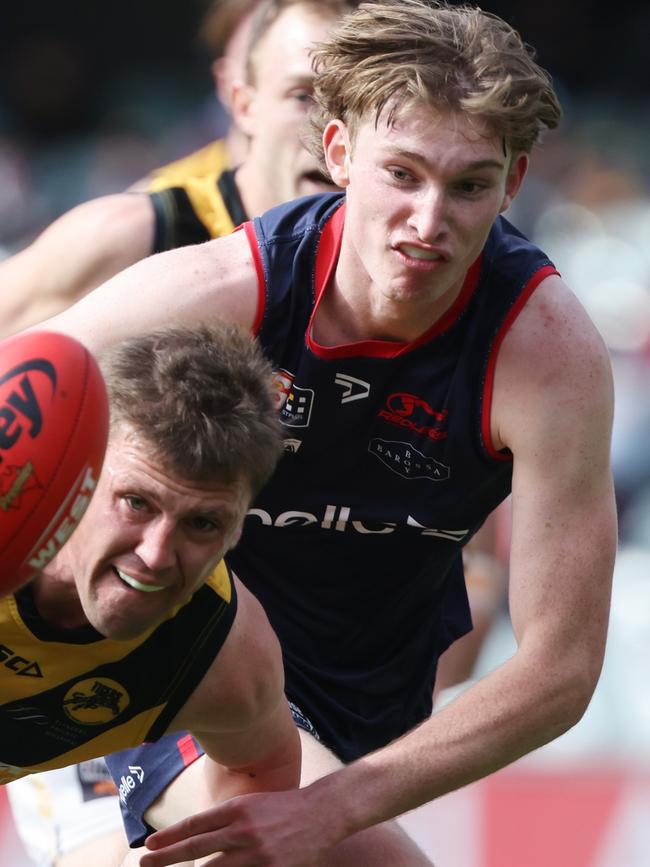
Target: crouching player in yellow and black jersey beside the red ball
137,627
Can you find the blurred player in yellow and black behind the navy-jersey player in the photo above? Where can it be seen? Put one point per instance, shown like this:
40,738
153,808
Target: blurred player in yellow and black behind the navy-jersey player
187,203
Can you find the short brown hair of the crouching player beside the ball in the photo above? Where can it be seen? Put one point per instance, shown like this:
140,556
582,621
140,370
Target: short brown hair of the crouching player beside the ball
202,397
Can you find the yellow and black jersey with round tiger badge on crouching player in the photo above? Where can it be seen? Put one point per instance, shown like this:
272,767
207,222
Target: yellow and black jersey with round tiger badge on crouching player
68,695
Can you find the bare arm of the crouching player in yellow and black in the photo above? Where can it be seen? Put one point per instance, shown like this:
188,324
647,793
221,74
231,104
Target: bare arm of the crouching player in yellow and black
241,717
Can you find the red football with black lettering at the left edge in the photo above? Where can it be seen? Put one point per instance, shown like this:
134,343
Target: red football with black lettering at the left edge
53,431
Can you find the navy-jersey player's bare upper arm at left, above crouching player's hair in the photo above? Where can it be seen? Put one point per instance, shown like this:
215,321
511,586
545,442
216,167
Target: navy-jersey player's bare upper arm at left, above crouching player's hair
188,286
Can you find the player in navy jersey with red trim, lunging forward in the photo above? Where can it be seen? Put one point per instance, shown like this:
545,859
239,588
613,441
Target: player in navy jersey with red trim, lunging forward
429,360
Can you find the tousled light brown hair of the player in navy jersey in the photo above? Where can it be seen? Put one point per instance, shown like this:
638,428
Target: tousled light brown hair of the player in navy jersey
391,53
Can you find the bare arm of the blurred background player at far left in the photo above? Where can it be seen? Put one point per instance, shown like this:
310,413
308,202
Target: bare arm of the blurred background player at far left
80,250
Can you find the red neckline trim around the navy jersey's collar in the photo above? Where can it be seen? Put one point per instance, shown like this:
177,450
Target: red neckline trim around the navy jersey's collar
326,258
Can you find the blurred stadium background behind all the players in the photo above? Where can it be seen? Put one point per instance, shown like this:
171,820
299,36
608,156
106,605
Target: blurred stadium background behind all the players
94,95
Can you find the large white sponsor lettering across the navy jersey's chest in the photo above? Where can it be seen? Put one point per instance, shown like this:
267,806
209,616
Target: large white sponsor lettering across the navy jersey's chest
340,518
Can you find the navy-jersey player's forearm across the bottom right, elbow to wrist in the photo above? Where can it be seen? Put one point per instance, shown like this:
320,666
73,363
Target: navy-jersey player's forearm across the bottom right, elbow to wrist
502,717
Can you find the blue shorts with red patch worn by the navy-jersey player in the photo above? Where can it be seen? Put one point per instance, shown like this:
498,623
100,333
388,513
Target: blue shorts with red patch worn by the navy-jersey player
143,773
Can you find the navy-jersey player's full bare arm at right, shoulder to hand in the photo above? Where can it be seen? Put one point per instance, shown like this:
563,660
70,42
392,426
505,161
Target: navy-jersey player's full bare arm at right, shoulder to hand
552,408
